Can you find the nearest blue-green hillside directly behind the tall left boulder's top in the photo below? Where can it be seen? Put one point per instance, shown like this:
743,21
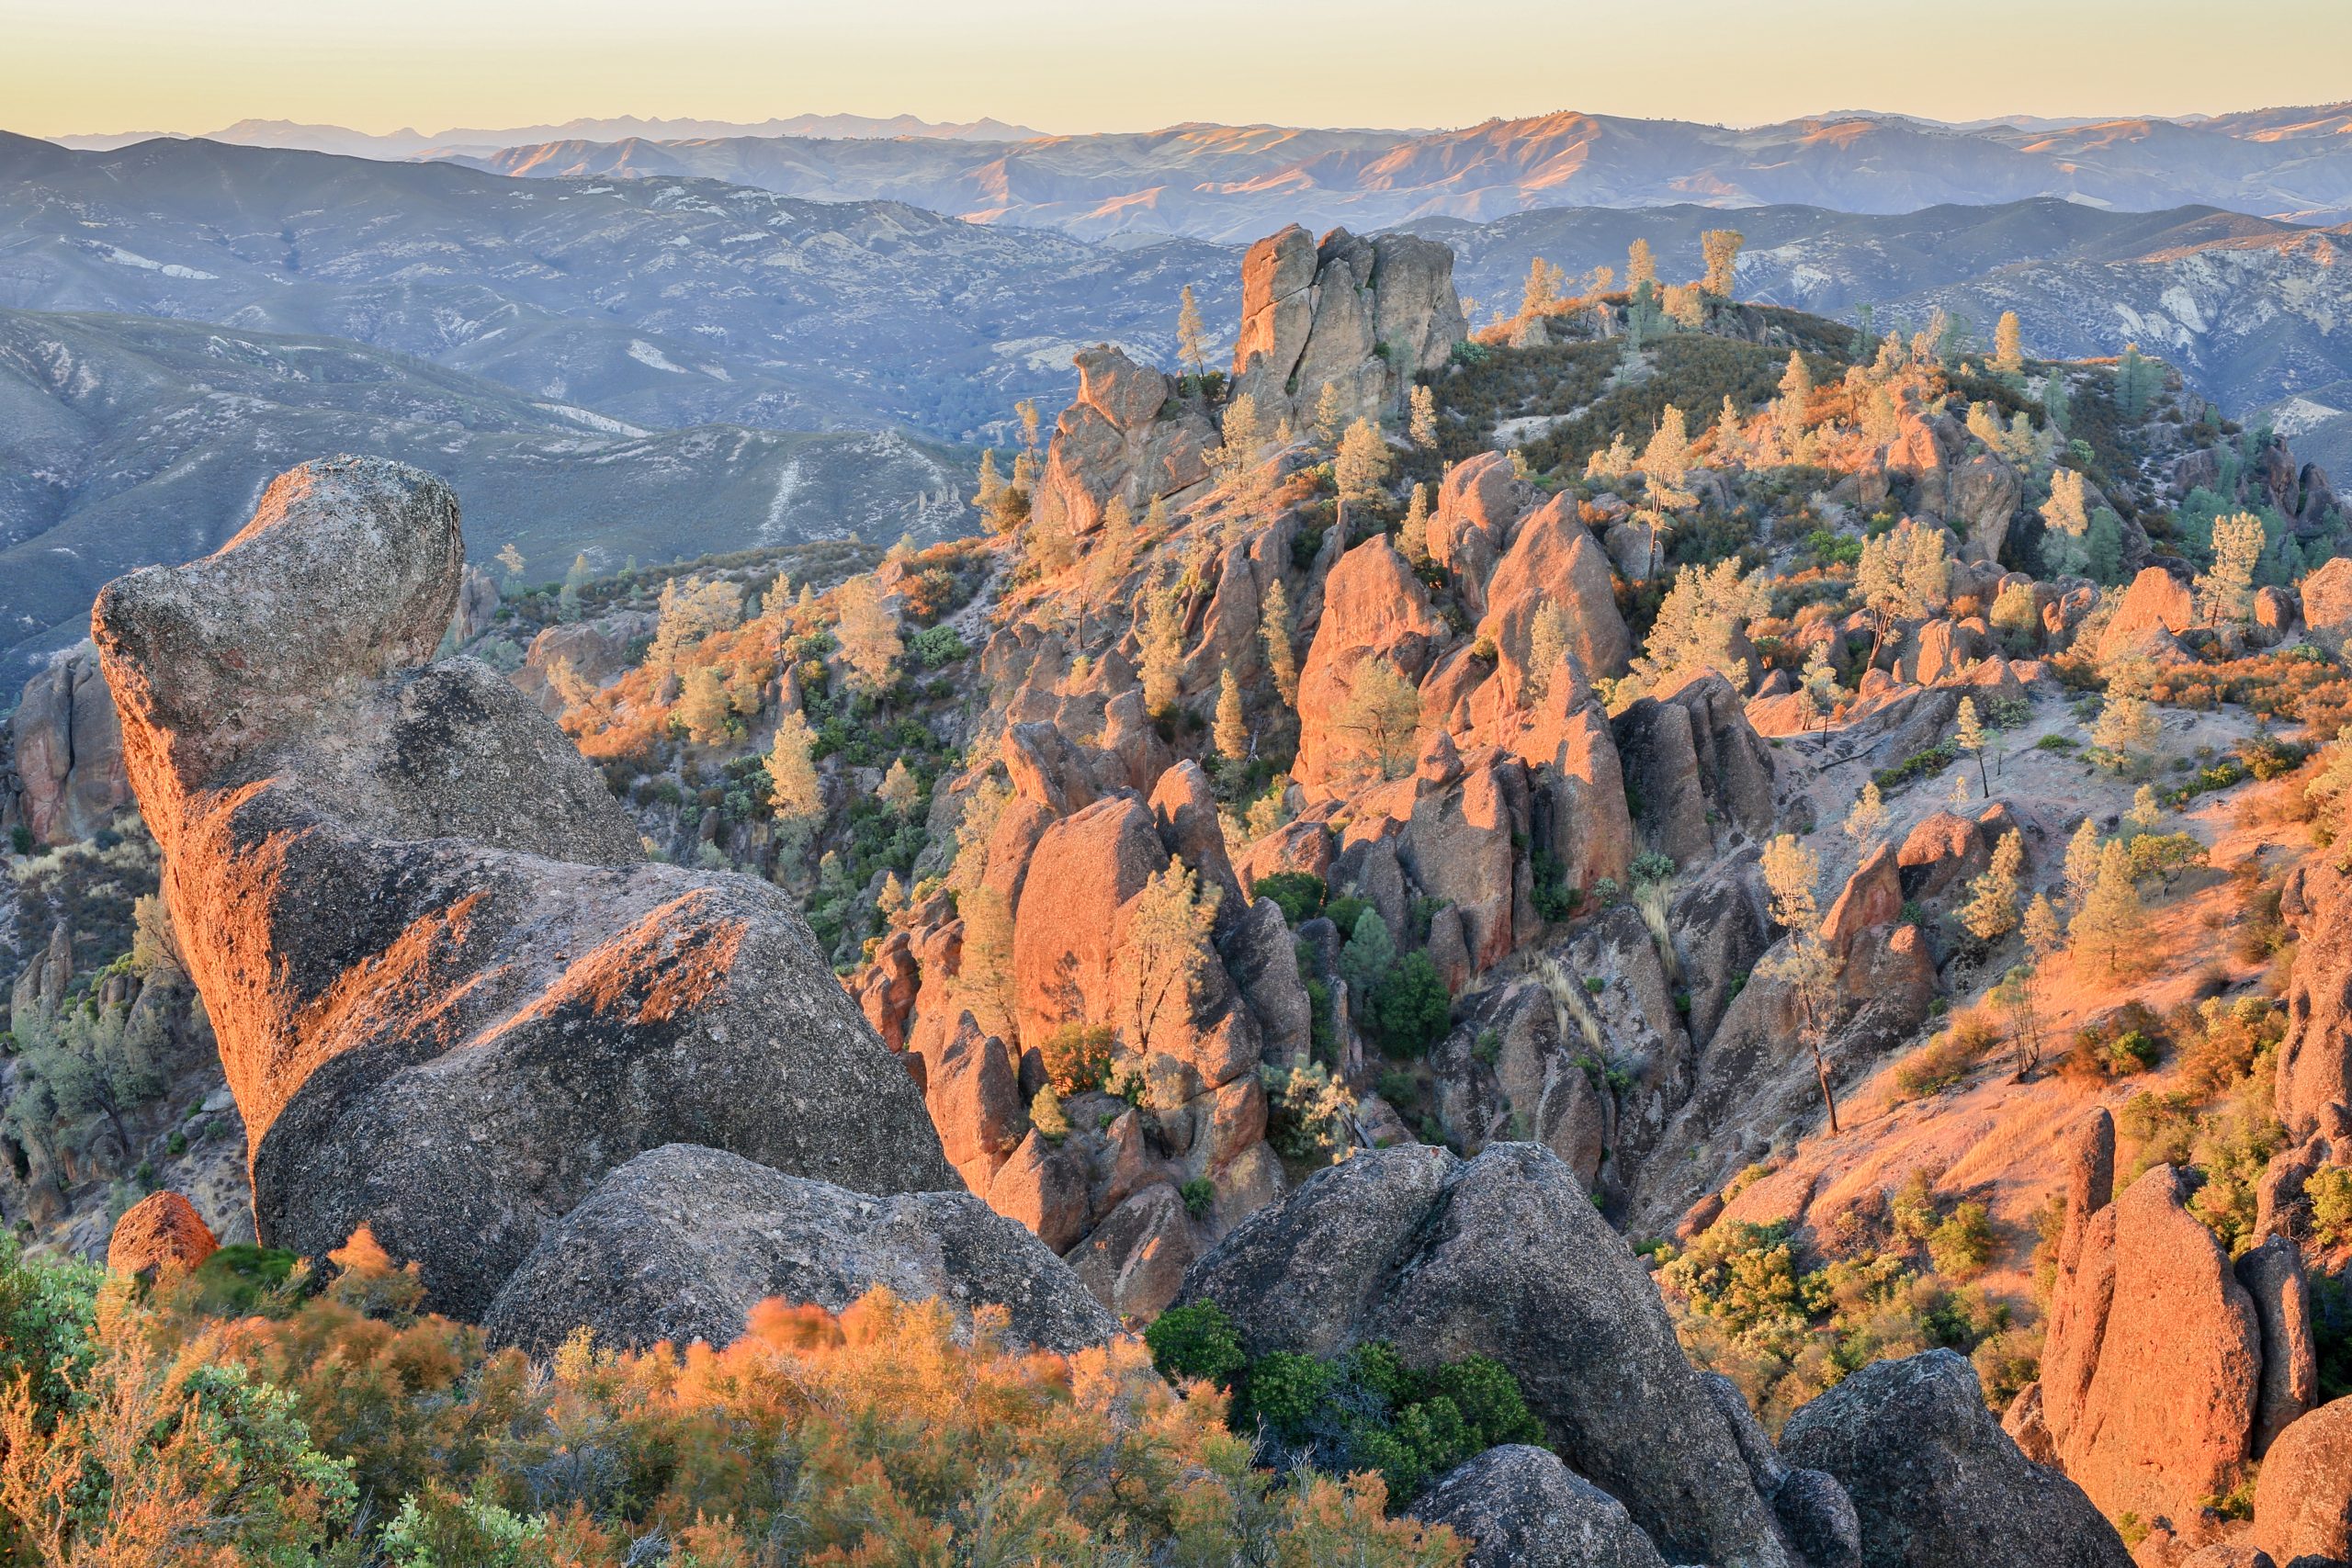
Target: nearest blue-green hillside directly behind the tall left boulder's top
131,441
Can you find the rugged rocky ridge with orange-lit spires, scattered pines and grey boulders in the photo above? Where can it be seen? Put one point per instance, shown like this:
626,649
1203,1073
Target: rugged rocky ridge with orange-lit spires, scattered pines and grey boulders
1829,812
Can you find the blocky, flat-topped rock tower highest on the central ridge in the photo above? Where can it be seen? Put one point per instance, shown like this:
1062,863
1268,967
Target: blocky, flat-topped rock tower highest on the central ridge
1363,316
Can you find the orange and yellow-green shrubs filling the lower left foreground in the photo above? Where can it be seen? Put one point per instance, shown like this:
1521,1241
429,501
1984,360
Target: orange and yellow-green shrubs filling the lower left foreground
352,1423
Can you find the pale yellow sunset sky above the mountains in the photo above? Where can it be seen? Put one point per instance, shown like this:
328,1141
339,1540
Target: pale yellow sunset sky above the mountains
1116,65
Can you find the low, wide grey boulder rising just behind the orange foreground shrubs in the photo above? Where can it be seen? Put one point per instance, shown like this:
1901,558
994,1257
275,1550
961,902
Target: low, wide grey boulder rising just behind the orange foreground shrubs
683,1242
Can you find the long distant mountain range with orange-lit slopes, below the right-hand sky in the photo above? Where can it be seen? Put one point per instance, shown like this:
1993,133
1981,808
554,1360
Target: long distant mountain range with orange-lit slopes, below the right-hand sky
1241,182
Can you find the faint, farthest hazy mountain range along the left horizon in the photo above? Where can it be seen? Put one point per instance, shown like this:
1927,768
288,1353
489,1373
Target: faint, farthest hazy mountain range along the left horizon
410,142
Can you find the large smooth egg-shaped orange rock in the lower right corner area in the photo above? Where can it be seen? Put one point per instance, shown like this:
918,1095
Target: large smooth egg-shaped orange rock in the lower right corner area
2153,1367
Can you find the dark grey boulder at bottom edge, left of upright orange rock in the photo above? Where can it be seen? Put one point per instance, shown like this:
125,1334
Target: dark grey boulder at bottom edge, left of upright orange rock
1937,1482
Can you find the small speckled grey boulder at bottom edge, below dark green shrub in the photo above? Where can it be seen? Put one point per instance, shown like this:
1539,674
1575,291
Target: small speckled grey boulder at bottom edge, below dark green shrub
1521,1508
